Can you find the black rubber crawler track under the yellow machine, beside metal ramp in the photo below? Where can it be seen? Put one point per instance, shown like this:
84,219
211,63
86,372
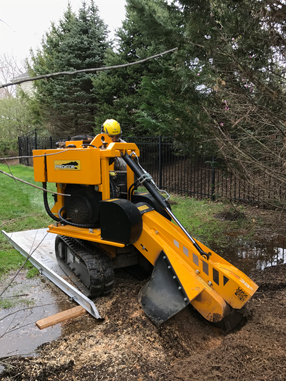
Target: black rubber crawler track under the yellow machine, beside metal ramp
97,263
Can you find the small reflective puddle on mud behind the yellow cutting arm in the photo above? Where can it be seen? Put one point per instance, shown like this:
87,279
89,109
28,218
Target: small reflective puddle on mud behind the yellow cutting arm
257,254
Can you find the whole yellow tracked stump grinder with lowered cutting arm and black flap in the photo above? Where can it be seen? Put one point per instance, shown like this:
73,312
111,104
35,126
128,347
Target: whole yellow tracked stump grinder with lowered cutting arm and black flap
103,222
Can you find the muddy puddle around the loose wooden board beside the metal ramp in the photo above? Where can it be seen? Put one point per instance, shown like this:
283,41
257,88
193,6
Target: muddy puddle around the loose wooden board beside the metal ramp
18,332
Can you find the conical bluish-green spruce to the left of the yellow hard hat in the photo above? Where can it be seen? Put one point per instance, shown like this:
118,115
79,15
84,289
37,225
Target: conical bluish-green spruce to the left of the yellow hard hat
67,103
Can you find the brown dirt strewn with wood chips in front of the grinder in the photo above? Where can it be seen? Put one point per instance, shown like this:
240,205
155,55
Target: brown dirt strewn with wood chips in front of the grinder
127,346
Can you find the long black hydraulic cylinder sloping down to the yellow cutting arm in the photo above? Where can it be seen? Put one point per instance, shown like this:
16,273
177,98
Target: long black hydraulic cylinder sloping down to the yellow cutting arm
153,191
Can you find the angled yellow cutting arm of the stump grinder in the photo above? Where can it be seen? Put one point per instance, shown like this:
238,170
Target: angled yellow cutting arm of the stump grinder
210,285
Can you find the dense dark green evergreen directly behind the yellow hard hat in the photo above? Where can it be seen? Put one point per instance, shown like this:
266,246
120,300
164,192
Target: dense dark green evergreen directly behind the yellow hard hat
152,98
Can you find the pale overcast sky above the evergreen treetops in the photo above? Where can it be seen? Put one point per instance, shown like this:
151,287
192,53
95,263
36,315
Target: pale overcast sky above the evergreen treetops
24,22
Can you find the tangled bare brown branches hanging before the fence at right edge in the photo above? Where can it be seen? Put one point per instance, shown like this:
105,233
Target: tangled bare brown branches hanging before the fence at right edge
249,129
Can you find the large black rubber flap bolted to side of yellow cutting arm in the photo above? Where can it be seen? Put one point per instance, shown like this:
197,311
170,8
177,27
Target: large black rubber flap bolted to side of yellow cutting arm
163,296
